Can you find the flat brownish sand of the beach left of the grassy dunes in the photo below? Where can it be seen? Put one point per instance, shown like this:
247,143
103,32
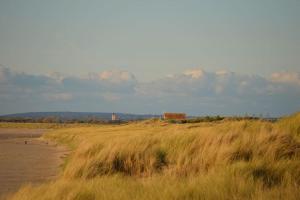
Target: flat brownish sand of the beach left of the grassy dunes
26,158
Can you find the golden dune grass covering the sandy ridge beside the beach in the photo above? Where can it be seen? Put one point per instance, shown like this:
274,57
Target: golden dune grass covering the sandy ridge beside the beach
247,159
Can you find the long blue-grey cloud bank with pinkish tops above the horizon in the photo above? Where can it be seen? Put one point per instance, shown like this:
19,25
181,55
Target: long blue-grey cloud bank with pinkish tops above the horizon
195,91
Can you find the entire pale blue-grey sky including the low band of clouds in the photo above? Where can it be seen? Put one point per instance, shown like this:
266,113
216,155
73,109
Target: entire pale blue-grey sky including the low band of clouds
227,57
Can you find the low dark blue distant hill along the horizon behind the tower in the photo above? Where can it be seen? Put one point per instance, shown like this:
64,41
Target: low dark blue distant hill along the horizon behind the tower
77,116
